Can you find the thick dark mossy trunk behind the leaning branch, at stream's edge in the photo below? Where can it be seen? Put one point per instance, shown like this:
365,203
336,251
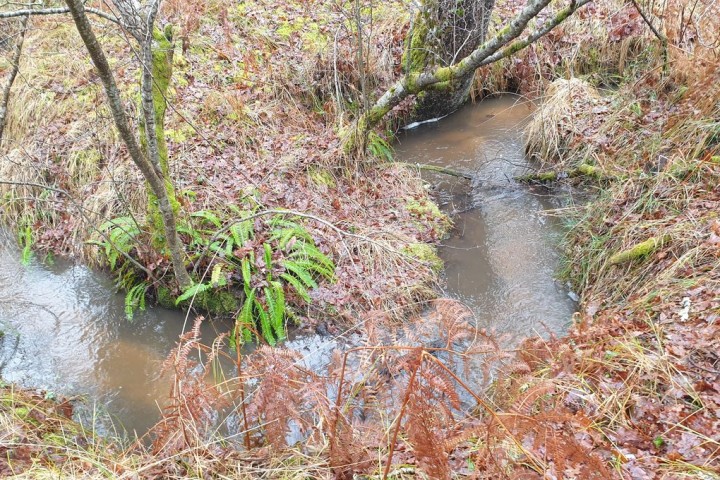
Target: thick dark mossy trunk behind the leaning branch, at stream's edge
444,32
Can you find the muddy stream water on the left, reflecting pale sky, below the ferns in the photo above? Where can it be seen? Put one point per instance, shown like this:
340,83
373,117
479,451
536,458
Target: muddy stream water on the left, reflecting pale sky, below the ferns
65,331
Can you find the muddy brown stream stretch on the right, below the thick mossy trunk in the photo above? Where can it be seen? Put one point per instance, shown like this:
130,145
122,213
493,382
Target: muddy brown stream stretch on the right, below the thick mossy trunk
503,254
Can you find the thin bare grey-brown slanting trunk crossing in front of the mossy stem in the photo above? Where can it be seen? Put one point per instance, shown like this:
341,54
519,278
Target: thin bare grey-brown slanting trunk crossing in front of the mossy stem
154,178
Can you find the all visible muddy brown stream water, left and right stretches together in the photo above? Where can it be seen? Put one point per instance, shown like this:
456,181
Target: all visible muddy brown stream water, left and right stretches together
64,327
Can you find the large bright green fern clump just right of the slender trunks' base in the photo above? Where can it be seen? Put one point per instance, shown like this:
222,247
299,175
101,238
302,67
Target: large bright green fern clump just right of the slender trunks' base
282,260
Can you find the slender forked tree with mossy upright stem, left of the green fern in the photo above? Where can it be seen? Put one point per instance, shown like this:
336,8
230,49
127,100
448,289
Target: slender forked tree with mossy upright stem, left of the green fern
149,153
